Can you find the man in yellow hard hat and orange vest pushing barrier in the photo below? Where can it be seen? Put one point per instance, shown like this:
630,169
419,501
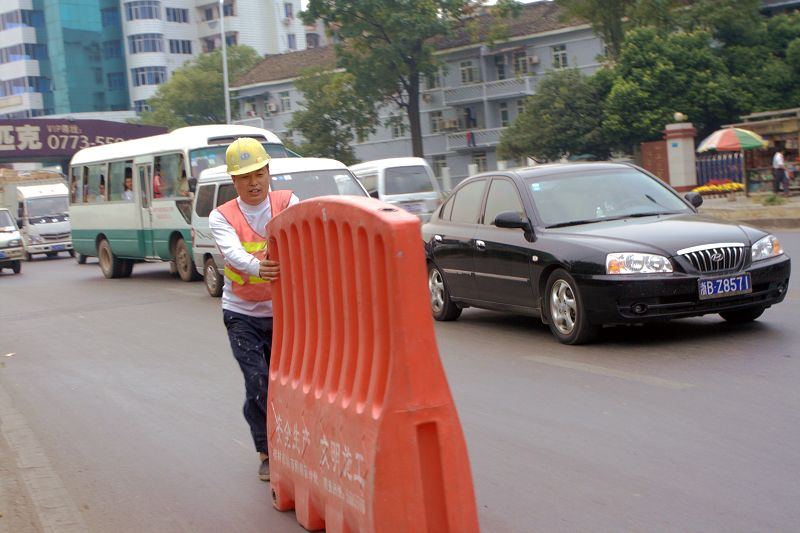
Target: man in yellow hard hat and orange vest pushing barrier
239,229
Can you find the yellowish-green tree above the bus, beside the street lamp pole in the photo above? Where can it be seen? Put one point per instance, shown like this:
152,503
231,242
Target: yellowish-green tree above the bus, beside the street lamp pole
194,93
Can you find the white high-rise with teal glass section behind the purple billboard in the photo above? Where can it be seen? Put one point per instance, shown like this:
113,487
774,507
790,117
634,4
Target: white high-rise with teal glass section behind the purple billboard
70,56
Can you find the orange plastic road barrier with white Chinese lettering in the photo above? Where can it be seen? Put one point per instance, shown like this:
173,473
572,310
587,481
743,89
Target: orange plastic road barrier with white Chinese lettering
363,433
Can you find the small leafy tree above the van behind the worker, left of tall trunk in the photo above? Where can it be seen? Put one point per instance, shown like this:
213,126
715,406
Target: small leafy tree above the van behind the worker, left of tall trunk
332,116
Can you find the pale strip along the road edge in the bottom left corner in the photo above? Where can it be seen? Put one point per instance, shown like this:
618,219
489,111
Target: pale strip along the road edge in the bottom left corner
54,508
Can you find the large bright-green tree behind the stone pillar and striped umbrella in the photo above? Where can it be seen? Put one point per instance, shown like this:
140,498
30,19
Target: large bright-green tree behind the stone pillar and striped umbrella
658,75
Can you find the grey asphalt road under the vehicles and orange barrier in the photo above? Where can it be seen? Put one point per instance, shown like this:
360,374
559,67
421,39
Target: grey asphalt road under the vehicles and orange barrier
120,408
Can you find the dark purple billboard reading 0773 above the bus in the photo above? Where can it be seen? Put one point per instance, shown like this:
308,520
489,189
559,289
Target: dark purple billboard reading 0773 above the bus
35,139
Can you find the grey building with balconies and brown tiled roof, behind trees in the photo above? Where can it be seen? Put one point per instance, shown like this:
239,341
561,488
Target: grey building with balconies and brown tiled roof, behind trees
479,91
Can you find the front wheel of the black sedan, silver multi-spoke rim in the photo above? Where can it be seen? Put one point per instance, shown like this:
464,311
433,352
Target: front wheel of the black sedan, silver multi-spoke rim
565,310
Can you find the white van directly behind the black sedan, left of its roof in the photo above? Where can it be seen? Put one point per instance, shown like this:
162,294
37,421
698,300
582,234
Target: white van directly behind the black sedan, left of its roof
407,182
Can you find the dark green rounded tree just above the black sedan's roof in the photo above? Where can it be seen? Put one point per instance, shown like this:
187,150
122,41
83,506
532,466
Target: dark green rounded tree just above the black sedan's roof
563,118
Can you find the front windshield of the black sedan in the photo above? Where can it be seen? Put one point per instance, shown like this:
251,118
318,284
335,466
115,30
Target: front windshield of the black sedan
597,195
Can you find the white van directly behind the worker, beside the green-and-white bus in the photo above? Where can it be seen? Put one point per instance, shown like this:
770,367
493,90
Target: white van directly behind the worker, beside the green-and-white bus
306,177
